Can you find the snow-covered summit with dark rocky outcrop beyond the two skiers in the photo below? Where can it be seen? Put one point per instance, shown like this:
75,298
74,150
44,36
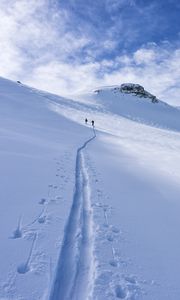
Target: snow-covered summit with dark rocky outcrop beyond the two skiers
133,102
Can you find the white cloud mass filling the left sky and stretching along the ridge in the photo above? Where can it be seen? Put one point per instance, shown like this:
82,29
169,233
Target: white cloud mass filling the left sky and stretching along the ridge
38,48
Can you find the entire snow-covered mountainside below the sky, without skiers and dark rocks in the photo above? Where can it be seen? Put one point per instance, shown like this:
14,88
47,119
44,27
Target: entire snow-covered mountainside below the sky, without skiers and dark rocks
88,214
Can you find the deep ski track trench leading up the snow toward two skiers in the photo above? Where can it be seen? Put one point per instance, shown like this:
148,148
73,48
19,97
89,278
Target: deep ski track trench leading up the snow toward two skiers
75,268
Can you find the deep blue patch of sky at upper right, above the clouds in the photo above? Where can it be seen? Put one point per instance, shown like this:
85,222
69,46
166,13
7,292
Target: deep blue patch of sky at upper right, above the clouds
128,24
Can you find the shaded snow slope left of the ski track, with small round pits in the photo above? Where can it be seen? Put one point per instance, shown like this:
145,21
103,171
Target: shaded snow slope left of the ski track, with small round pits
38,153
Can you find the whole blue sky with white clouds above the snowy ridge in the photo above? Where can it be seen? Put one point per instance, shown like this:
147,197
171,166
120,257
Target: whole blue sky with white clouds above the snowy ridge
65,46
